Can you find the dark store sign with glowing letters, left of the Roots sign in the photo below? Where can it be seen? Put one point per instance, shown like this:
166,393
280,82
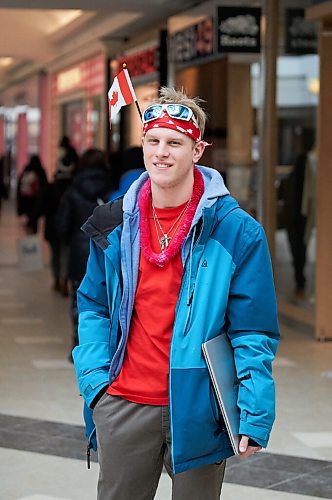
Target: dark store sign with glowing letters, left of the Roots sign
192,43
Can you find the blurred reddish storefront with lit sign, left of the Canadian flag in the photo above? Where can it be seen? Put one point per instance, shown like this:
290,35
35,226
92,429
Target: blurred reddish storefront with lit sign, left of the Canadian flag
78,103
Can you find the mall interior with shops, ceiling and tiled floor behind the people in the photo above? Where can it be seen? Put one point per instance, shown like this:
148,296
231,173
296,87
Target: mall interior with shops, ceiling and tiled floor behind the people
264,70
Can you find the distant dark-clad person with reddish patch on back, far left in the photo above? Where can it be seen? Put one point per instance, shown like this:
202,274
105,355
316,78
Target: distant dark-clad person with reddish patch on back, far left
30,183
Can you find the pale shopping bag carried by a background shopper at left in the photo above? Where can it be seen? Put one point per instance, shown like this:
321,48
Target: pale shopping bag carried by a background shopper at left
29,253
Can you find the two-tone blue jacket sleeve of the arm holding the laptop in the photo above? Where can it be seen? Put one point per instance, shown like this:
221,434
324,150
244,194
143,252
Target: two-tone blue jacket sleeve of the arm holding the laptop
254,334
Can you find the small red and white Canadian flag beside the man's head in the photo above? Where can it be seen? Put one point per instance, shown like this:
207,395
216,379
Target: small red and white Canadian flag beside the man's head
121,93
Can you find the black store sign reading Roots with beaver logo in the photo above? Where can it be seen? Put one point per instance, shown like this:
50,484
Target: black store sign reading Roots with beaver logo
239,29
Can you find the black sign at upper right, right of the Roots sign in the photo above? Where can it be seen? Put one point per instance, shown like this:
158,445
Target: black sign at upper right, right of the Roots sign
301,35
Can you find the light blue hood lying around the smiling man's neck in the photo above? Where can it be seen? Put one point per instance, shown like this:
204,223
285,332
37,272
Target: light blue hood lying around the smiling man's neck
214,188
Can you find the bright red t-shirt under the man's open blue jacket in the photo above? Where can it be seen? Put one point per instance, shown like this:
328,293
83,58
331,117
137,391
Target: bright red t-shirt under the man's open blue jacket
144,374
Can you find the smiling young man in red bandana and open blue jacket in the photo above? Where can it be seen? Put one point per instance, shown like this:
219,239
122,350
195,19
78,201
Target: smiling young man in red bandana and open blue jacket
184,265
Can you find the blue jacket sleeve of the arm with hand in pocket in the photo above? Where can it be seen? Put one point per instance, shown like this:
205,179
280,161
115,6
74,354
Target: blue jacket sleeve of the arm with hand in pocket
92,355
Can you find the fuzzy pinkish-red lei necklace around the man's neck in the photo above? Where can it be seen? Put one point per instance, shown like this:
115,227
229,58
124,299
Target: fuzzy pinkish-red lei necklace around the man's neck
144,202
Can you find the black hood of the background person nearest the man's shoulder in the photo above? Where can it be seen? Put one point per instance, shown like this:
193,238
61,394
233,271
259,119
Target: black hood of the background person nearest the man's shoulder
92,183
